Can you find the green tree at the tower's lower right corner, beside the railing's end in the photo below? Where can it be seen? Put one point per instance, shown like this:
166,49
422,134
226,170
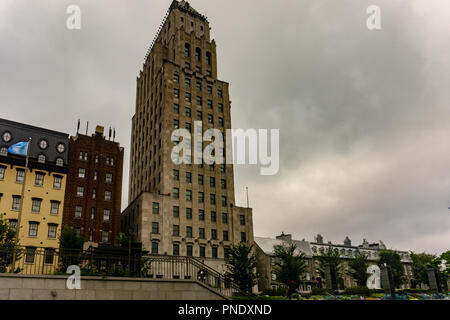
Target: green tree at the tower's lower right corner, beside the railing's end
241,264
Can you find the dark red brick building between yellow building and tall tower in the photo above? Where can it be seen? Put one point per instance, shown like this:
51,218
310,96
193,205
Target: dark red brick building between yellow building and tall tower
94,187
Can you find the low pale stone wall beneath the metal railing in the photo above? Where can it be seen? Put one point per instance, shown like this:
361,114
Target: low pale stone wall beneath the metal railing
38,287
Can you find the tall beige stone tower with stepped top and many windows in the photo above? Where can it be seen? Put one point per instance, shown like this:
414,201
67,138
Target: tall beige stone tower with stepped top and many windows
187,209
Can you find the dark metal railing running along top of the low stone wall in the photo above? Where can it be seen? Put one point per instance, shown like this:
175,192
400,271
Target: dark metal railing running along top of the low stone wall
116,262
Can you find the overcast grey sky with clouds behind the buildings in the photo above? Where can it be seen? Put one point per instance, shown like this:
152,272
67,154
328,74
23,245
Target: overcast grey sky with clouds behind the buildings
363,115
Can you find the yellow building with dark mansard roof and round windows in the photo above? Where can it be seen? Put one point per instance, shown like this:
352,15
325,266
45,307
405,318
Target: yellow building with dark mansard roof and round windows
43,202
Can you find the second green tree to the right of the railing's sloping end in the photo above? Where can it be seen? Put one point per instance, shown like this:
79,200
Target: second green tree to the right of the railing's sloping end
289,266
